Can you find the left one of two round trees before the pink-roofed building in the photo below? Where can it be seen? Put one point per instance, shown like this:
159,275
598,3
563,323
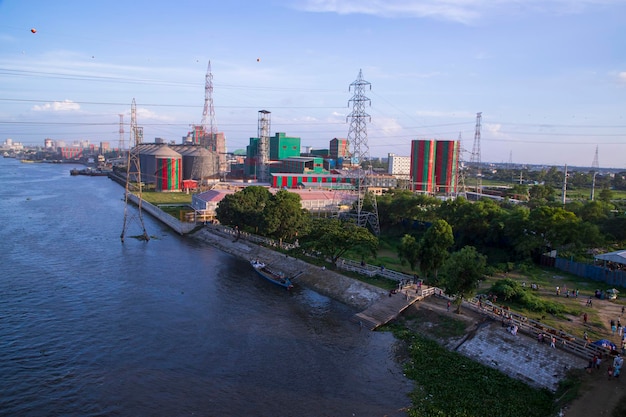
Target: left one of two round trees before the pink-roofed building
244,209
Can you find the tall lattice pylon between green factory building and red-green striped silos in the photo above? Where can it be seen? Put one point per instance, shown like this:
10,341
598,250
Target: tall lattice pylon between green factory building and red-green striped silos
357,137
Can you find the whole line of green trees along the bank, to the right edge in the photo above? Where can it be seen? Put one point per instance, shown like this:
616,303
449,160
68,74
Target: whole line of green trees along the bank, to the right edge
447,242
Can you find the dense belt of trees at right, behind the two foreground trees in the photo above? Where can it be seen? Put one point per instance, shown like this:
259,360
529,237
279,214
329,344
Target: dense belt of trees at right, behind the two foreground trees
504,231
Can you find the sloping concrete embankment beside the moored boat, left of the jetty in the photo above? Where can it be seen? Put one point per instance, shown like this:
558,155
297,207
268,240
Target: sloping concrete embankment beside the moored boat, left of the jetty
349,291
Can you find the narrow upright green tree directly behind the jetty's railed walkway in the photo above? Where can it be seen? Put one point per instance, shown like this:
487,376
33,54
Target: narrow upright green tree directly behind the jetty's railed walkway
433,248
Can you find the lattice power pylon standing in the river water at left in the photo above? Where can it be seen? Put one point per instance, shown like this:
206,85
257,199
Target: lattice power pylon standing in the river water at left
133,177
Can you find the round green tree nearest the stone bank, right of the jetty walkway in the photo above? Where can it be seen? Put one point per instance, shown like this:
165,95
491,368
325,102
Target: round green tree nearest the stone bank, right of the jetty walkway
462,272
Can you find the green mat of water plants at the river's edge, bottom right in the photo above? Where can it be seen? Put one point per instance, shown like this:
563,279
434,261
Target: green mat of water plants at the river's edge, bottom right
451,385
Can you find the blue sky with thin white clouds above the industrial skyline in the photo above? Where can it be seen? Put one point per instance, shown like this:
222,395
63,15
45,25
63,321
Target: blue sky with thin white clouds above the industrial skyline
549,76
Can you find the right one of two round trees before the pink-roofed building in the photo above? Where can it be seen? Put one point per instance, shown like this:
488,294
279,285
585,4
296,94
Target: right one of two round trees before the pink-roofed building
284,218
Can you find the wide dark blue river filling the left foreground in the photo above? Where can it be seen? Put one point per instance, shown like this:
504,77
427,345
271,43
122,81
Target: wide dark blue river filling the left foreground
91,326
